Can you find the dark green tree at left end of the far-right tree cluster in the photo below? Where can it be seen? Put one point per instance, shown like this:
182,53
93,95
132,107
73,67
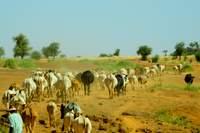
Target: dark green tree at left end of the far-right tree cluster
179,49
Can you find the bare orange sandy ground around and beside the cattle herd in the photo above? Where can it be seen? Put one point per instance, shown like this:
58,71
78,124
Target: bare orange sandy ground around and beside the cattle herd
133,112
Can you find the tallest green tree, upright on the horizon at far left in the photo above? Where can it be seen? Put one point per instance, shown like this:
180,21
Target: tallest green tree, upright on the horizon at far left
22,46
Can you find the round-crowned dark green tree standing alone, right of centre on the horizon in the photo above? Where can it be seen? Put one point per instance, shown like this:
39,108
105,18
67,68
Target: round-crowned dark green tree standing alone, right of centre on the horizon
144,51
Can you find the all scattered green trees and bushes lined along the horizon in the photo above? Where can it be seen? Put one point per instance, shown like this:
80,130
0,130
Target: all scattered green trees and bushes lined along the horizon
22,49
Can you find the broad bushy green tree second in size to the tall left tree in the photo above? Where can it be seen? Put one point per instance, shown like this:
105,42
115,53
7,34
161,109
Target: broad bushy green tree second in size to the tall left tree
51,50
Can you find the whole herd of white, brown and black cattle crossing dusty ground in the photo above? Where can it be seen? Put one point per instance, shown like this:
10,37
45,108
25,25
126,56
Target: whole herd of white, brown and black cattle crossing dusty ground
43,84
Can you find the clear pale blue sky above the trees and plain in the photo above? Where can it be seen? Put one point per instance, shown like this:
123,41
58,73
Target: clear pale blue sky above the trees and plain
91,27
